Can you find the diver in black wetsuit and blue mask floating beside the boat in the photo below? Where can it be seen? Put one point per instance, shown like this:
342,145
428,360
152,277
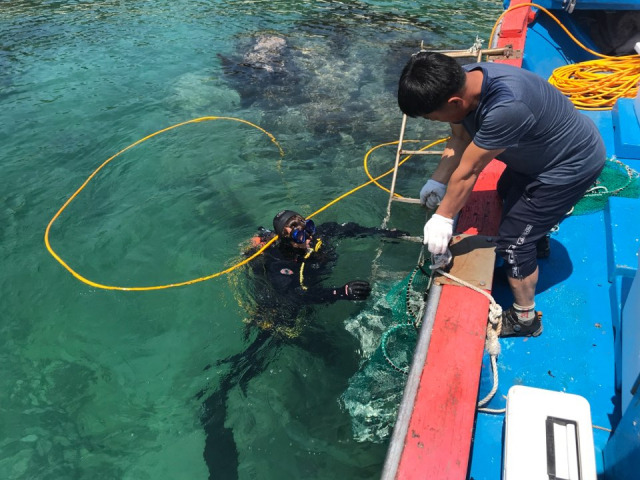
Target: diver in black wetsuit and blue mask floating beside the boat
287,279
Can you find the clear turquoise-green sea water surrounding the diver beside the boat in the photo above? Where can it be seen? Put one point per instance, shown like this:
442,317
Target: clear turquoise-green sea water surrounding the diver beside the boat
102,384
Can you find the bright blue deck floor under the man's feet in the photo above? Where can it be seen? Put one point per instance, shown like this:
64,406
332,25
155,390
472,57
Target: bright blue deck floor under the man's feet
575,352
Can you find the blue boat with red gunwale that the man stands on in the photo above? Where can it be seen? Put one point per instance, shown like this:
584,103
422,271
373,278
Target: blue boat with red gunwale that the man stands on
565,404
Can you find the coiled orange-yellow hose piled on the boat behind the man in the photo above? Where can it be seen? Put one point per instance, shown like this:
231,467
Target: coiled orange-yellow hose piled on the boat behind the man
594,84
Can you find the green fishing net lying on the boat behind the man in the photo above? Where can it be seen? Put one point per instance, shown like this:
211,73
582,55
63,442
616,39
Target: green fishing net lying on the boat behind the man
616,179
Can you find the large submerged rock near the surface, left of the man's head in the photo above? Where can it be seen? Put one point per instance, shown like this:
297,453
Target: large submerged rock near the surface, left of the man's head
316,84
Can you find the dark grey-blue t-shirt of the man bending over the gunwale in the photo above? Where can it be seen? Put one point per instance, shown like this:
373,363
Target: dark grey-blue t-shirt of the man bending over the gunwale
545,137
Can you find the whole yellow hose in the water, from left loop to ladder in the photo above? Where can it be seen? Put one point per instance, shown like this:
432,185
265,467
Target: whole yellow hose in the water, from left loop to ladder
213,275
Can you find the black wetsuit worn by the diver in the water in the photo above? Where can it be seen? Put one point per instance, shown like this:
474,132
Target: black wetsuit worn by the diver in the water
280,302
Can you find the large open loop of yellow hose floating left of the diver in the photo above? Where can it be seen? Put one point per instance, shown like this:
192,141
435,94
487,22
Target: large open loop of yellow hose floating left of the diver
104,164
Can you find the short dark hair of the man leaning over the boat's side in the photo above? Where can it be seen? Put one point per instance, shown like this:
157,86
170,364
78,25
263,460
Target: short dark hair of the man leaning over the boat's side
427,81
